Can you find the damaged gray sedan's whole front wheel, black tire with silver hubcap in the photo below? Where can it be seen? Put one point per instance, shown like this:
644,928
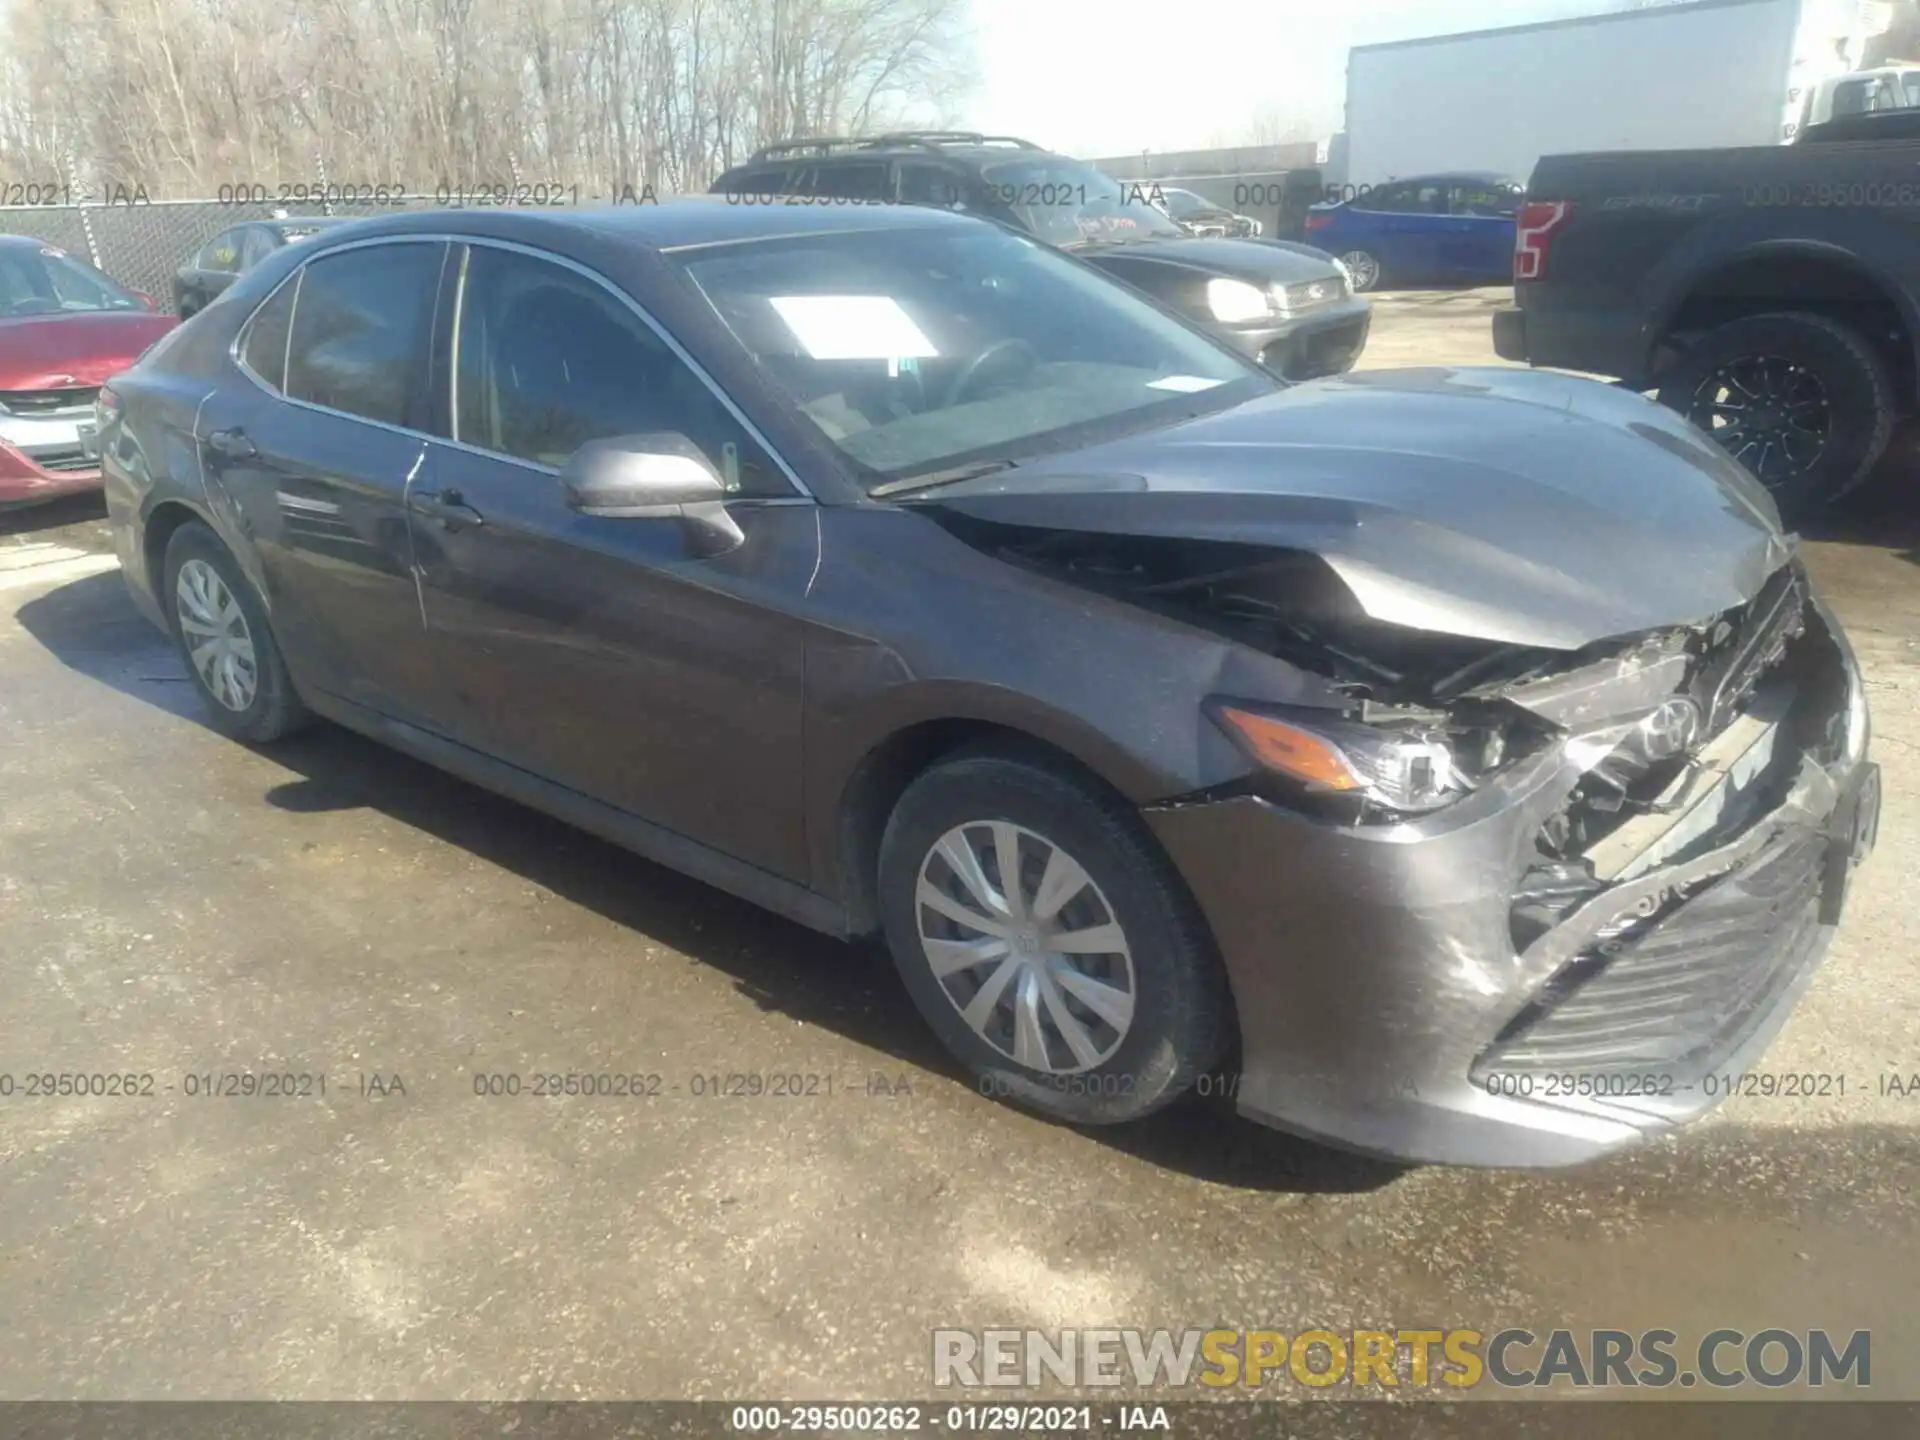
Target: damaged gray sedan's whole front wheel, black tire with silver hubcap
1047,942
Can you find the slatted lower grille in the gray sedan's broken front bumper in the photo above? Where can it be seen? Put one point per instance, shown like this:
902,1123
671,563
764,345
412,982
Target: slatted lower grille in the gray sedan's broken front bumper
1675,994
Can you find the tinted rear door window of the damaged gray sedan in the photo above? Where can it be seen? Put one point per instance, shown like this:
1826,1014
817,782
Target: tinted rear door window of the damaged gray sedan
362,329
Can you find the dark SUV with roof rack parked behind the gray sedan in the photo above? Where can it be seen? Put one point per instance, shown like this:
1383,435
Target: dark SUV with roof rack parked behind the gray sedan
1285,306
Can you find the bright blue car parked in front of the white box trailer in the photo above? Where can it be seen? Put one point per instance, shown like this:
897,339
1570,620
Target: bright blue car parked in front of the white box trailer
1431,229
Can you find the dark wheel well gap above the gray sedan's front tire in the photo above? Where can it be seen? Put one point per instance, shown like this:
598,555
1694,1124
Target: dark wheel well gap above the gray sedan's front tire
890,769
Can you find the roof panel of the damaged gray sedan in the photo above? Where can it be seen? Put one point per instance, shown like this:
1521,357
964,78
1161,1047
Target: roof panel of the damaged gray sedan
677,224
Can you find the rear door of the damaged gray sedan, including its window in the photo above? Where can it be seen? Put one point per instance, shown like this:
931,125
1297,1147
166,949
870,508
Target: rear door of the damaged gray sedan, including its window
316,452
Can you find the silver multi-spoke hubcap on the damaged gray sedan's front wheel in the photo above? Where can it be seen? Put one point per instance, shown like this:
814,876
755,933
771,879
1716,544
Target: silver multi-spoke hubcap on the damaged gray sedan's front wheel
1026,948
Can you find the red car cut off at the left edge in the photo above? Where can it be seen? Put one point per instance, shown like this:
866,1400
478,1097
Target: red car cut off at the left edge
64,329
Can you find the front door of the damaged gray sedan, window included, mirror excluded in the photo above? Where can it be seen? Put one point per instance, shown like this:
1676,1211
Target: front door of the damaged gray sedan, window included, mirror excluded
602,654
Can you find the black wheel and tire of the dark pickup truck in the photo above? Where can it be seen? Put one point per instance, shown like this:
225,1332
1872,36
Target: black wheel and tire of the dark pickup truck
1823,372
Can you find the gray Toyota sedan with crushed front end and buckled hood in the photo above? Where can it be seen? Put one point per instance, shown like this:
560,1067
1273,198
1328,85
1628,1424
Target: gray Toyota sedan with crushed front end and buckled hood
1456,763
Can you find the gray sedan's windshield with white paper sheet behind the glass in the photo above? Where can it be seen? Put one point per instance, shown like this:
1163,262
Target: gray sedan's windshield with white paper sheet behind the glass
919,350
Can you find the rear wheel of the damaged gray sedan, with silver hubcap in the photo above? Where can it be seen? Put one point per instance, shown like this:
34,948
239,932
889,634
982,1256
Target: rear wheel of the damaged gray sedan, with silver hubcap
224,636
